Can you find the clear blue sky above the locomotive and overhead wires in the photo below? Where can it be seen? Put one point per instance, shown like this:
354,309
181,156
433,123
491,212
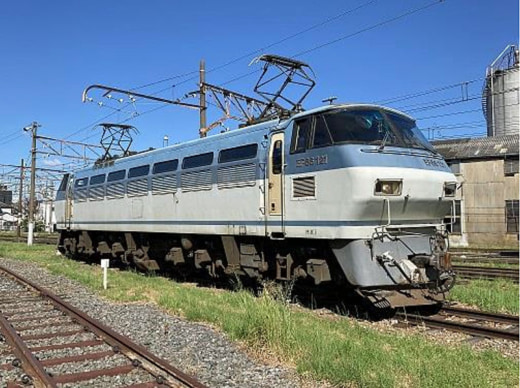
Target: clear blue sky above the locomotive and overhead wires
50,51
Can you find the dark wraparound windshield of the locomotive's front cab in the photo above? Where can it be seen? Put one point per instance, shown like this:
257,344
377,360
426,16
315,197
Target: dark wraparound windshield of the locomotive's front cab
364,126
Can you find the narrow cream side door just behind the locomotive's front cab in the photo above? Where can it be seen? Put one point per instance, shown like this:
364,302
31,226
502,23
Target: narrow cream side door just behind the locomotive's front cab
275,197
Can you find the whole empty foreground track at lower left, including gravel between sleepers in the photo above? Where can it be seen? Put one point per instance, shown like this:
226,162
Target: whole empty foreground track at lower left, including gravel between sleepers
51,343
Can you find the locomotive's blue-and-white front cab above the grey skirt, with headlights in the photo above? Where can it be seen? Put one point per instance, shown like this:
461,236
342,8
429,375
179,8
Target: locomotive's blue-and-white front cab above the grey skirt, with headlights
370,166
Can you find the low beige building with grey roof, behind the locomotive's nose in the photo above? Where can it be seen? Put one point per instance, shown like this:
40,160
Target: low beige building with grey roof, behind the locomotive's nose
485,213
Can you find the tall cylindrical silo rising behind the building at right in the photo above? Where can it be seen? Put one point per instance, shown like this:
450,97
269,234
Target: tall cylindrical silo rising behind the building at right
501,94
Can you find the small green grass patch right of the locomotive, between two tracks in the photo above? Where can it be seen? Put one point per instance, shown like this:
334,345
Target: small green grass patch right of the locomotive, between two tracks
499,295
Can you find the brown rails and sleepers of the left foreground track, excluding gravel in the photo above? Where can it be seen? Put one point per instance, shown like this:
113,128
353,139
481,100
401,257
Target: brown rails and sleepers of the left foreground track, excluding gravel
138,357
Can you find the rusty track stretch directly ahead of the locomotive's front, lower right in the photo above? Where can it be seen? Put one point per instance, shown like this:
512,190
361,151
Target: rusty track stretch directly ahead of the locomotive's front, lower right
472,322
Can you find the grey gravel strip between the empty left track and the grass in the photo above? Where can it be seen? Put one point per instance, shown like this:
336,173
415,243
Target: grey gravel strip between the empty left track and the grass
194,348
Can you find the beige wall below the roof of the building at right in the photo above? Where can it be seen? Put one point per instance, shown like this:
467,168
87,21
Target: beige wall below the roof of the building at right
484,192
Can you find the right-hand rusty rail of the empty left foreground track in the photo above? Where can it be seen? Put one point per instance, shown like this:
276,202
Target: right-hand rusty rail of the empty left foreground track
163,371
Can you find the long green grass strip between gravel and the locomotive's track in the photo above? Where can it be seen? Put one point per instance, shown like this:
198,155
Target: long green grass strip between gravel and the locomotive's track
340,351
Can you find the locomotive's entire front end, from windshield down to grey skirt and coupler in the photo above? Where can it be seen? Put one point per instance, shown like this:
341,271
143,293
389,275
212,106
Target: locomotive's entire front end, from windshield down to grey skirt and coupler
381,194
